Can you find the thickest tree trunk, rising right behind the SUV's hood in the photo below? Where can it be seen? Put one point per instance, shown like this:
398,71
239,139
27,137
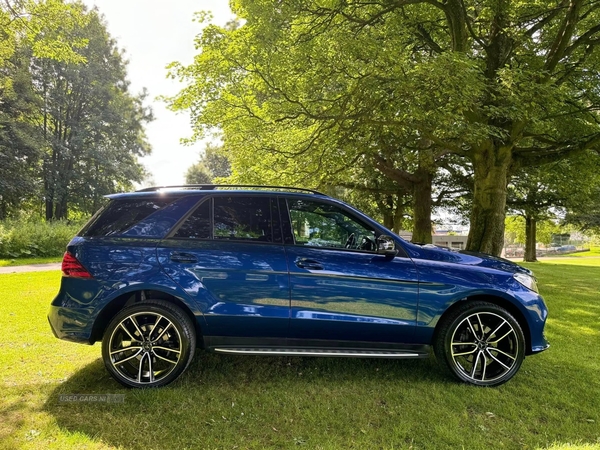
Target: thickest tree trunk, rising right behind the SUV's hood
486,233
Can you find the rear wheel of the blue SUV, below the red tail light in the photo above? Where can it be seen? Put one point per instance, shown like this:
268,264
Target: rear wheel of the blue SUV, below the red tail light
148,344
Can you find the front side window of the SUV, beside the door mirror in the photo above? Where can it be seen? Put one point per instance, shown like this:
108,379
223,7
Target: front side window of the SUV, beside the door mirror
317,224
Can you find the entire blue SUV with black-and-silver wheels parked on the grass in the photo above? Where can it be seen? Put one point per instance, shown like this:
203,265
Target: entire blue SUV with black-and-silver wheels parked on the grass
282,271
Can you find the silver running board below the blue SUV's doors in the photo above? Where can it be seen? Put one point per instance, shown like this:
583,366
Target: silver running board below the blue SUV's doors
347,353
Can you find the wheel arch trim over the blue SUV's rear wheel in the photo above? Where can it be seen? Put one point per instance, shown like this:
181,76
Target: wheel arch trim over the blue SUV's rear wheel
134,297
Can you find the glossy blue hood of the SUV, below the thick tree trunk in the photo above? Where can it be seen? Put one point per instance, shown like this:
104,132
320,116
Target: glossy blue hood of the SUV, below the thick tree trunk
445,254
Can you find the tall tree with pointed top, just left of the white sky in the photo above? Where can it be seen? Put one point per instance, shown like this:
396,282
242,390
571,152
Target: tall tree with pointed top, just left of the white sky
92,125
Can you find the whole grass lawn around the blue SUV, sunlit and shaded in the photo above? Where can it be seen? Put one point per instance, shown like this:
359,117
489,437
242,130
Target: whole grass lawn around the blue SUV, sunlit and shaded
229,402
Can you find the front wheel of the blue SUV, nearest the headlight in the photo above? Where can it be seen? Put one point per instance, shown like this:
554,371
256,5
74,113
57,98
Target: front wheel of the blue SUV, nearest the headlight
490,358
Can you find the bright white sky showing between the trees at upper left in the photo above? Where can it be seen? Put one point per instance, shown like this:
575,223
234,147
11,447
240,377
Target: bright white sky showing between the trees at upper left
154,33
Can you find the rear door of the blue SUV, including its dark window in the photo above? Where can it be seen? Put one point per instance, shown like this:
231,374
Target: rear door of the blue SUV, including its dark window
228,255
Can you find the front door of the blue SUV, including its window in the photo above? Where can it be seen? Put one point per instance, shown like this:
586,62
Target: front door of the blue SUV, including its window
341,288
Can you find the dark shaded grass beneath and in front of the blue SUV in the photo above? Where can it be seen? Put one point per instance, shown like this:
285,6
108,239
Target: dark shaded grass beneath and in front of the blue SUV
225,401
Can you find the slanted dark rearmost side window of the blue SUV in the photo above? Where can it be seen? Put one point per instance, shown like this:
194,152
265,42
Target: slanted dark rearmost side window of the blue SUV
120,215
